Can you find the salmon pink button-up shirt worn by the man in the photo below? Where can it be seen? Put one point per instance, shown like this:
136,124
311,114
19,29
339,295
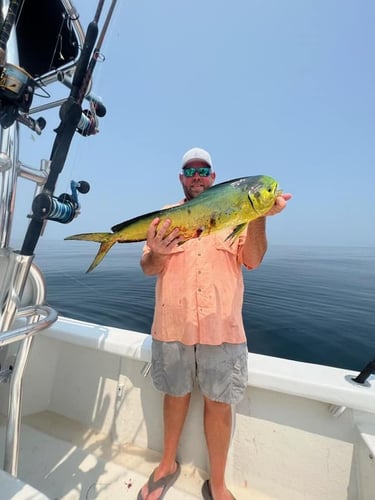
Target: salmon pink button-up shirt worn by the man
199,293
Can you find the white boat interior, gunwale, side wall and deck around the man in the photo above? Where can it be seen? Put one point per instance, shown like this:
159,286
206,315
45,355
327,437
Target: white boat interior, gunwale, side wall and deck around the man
301,431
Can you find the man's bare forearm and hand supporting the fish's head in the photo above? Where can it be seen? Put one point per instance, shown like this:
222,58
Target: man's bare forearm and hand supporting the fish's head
255,245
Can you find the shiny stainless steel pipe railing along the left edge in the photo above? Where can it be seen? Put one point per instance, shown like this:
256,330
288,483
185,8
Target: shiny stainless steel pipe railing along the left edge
19,324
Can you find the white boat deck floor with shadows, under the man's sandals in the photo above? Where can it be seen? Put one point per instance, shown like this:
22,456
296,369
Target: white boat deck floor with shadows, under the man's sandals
66,461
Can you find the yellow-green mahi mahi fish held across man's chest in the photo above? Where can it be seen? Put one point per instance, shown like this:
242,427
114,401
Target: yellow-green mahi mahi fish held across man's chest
230,204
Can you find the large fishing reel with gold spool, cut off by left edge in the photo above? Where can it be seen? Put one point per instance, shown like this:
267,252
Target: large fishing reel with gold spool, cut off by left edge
16,93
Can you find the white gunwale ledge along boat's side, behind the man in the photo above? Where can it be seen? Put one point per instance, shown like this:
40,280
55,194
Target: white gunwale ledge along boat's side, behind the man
317,382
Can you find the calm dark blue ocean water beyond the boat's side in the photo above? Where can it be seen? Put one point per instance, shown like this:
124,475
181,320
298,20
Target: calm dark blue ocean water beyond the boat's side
313,304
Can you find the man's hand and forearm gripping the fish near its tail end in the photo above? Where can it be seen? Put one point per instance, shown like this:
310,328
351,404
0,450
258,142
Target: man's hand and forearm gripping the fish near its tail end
160,246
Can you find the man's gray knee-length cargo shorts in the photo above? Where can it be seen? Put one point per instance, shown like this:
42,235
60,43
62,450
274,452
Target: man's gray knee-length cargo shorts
221,371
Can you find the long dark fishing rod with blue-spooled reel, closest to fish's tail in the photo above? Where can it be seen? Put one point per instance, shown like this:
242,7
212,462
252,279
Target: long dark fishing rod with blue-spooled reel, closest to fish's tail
64,208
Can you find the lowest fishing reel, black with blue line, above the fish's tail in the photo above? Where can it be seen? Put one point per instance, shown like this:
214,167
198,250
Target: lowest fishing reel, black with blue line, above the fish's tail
63,208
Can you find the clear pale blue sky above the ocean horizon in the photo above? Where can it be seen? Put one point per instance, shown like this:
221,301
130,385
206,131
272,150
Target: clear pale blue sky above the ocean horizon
283,88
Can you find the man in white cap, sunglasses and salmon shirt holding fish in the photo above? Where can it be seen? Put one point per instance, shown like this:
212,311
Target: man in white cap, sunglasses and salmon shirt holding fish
198,334
